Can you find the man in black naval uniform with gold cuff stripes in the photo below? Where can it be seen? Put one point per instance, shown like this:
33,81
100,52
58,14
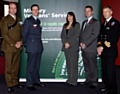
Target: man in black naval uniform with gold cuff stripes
107,48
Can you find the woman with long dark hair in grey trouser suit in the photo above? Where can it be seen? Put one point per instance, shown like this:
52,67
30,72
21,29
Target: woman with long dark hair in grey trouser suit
69,36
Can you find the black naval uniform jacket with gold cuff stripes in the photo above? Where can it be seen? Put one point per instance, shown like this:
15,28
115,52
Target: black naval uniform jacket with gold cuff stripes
110,33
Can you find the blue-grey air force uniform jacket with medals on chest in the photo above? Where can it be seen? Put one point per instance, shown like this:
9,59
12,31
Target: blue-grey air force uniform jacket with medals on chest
32,35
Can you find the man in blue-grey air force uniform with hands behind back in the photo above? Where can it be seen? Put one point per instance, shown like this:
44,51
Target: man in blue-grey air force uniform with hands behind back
32,40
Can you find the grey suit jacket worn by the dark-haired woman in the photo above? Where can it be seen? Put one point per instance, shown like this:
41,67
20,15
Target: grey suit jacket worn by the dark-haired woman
71,38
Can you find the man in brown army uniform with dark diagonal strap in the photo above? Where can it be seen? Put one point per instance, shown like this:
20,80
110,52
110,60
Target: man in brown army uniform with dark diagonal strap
11,28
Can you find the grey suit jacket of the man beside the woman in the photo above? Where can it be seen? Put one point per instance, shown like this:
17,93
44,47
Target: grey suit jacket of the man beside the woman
89,35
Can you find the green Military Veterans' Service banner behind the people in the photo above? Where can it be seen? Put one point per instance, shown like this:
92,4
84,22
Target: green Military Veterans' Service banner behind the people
53,15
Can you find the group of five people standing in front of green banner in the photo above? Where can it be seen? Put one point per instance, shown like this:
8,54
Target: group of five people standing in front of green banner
92,38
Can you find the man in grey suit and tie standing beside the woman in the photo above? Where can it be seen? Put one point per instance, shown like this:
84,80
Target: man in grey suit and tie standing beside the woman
88,42
